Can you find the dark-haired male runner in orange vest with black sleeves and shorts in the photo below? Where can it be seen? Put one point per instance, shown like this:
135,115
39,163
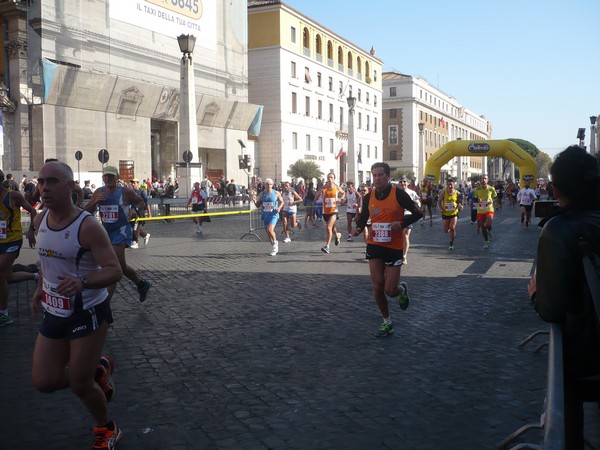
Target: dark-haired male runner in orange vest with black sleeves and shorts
385,205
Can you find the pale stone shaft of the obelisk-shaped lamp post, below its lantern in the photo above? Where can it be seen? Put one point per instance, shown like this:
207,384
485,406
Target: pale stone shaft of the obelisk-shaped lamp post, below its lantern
188,131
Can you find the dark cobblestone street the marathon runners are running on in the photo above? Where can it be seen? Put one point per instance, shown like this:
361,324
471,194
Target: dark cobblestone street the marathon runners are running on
235,349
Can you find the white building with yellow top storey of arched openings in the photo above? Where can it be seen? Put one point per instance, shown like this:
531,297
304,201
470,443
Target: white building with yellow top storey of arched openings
303,74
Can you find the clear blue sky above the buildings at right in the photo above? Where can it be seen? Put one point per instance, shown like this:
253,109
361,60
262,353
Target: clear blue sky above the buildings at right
532,67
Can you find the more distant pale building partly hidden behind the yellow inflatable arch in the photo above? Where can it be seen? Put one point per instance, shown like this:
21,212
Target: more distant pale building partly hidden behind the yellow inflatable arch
418,119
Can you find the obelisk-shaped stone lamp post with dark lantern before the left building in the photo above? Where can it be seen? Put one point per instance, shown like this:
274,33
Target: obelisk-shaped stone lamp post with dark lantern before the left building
188,132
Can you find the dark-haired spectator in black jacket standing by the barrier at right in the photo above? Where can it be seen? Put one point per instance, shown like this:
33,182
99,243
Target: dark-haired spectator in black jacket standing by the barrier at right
562,294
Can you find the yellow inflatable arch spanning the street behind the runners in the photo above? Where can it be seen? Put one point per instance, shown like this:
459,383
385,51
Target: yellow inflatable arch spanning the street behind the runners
503,148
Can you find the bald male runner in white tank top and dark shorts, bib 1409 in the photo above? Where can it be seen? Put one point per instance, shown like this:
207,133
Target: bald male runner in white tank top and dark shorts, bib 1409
77,264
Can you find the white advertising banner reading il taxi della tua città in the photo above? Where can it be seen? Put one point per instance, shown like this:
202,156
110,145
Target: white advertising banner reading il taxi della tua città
171,17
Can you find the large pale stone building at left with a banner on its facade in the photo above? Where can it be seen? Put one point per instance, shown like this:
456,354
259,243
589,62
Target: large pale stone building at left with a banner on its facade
86,75
